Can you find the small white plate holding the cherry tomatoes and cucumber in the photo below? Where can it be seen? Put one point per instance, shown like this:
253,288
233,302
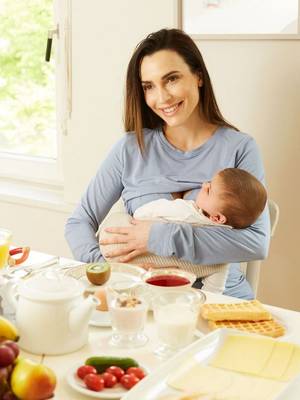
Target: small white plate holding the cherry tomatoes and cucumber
109,393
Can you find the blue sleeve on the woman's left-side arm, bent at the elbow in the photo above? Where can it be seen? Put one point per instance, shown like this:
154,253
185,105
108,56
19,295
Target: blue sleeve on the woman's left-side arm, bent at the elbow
102,192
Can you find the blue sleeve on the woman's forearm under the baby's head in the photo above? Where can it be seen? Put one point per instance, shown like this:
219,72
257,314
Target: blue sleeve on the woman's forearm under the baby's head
211,245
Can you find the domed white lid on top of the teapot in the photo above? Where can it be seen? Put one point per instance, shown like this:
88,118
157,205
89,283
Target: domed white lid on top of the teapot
51,286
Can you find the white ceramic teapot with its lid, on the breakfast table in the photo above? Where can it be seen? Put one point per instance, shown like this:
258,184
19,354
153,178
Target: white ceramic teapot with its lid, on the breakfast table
52,315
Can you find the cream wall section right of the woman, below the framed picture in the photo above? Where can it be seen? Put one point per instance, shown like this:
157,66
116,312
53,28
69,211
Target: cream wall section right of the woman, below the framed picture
258,87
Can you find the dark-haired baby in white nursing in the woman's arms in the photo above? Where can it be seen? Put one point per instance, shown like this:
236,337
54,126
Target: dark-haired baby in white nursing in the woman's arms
233,197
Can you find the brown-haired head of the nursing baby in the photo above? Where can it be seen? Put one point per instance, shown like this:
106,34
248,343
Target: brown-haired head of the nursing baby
233,197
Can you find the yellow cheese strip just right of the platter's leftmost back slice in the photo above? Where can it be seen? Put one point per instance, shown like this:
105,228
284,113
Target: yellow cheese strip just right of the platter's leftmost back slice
279,361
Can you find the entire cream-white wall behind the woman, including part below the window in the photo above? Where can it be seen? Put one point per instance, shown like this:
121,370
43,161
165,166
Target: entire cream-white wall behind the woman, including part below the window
258,87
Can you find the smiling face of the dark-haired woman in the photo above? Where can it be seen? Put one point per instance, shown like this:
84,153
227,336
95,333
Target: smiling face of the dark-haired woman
171,90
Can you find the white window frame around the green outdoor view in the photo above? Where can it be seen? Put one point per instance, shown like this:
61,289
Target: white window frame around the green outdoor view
42,169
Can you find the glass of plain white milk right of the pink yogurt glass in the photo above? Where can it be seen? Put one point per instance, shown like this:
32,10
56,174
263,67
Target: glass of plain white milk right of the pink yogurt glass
176,314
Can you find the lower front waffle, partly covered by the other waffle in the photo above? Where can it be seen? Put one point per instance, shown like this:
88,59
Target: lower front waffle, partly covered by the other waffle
268,328
